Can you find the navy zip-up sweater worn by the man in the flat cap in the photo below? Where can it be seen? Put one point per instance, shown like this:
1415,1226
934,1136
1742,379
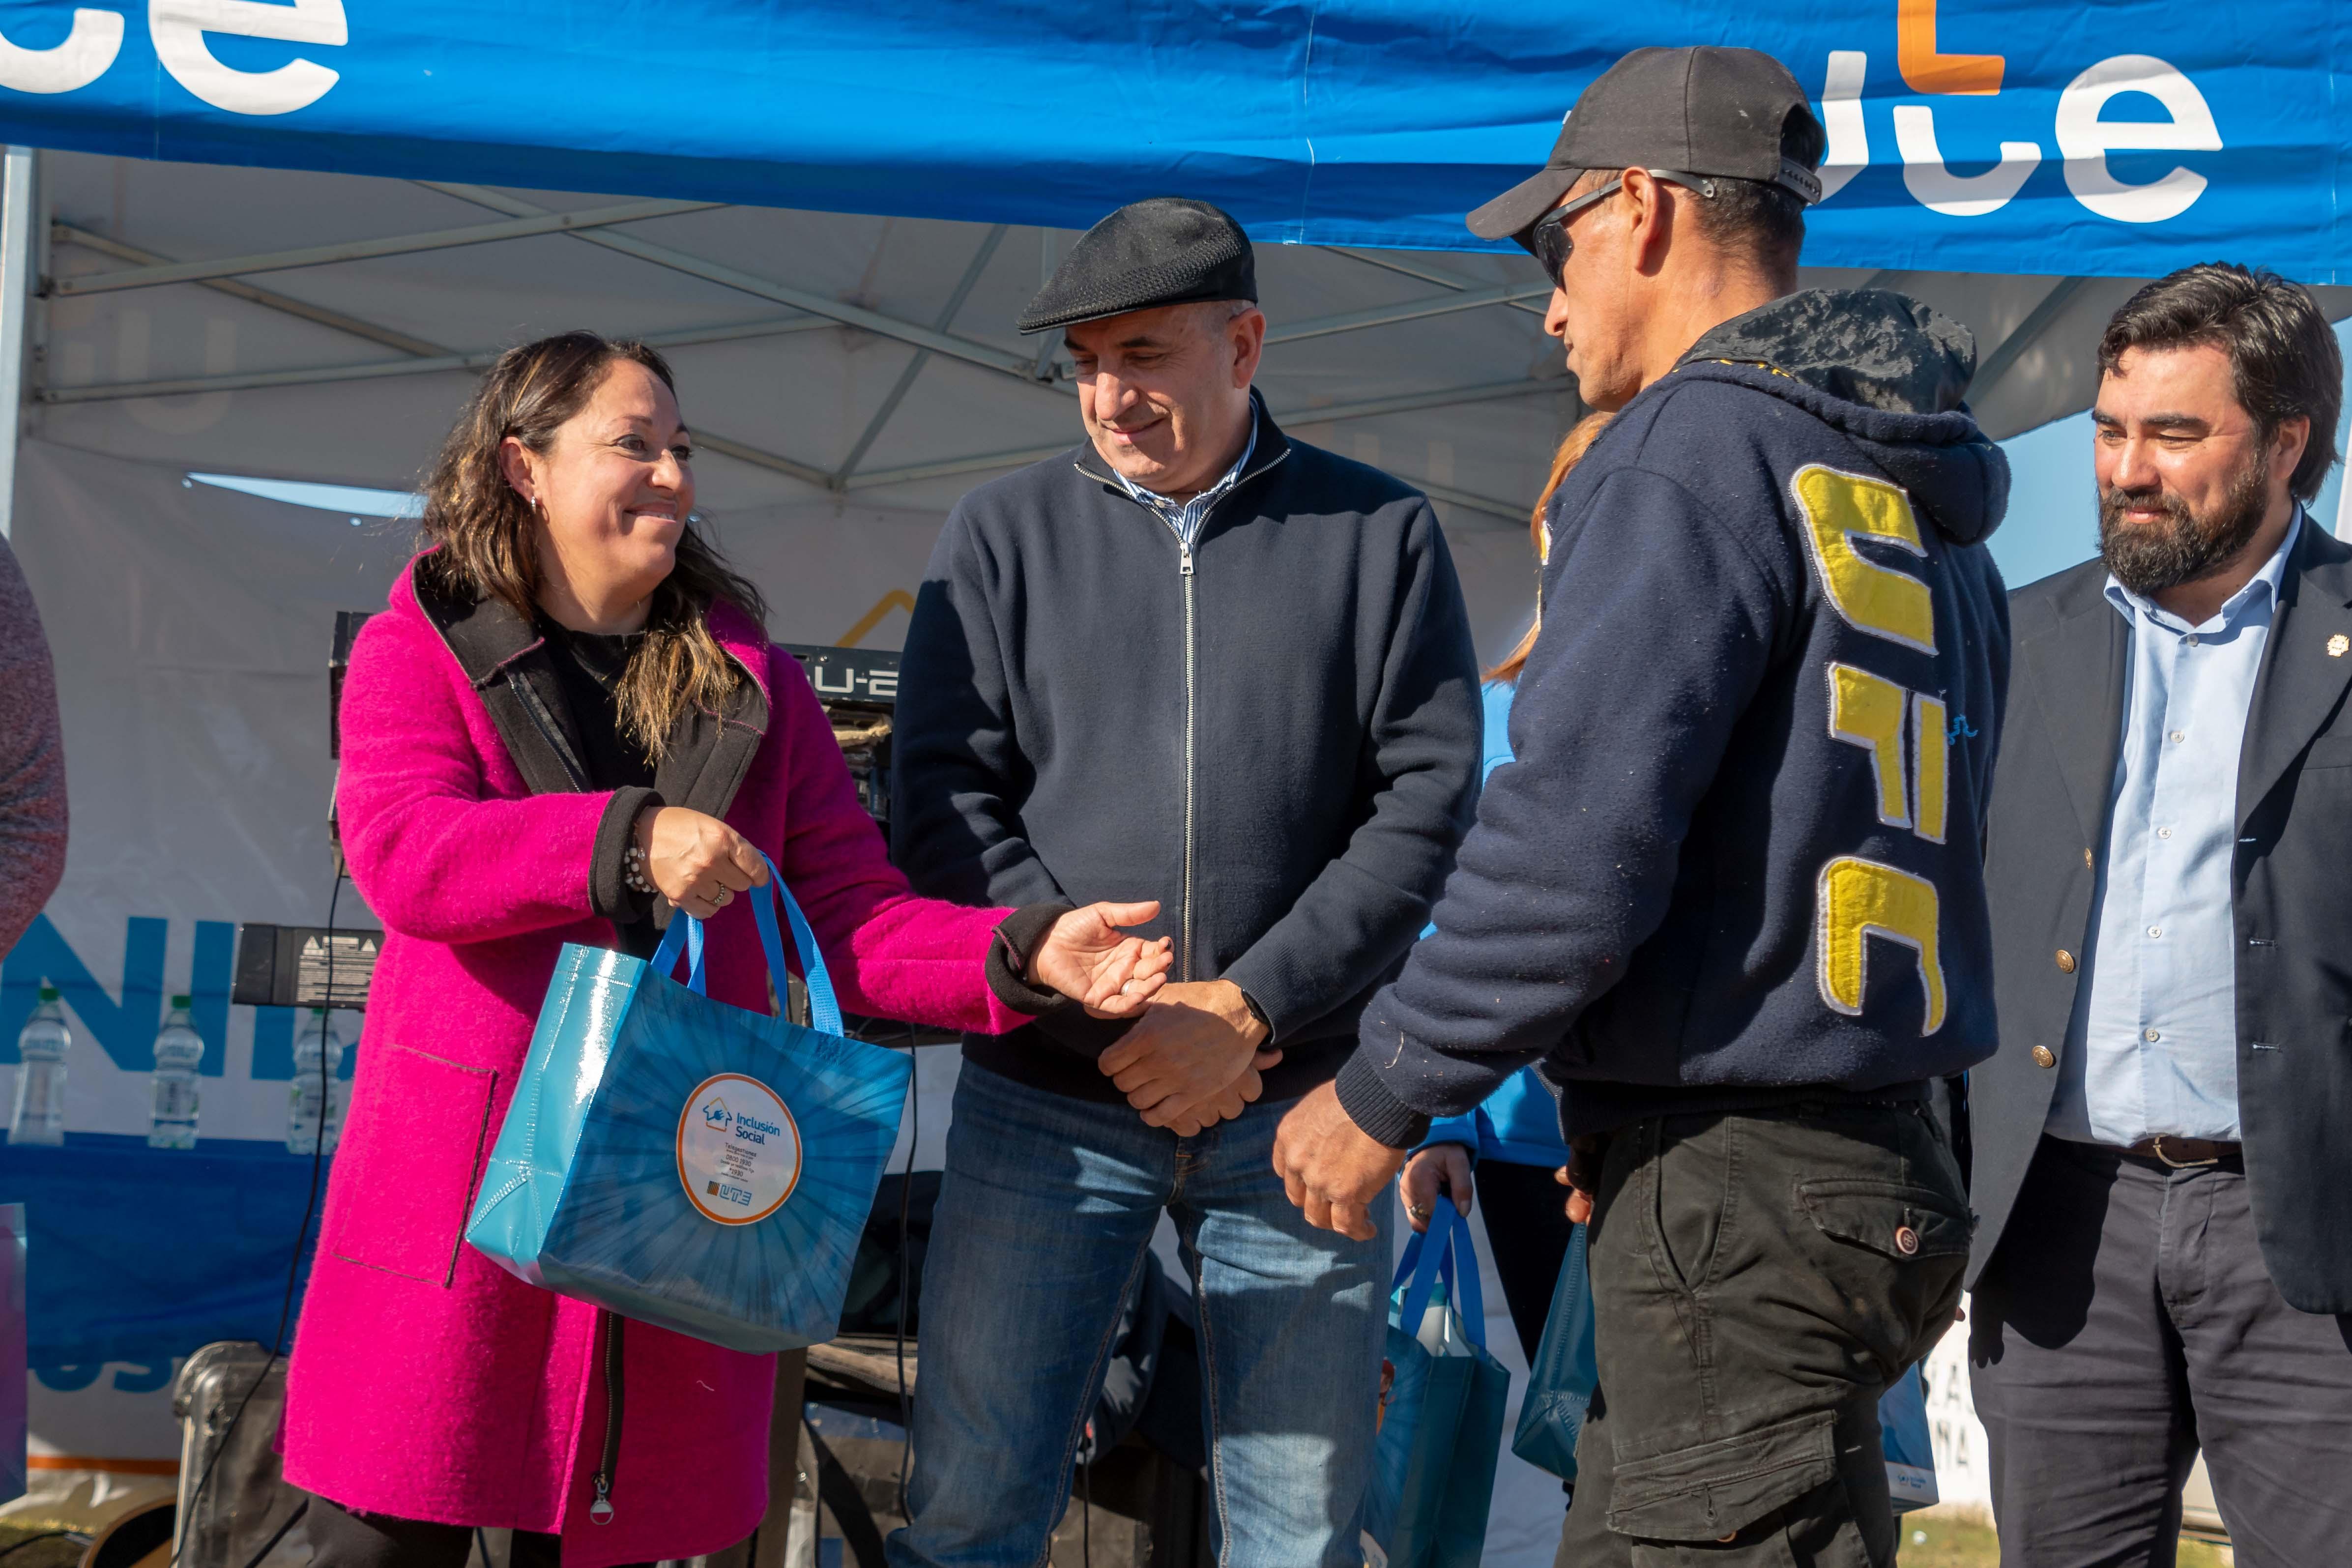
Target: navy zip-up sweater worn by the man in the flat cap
1276,737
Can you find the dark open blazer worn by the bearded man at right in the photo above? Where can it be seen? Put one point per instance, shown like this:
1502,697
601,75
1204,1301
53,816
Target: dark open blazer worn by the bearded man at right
2294,904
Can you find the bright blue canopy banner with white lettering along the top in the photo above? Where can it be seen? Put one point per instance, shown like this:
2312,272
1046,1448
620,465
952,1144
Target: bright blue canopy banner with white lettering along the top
1965,135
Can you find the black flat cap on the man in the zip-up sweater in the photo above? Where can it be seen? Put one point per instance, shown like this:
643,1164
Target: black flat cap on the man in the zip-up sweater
1161,253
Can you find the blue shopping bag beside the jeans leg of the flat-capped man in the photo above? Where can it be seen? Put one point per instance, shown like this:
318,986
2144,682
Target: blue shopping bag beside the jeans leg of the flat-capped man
1441,1409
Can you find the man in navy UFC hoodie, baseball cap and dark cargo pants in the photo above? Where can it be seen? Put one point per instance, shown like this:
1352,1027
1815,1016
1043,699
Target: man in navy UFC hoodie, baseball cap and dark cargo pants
1730,894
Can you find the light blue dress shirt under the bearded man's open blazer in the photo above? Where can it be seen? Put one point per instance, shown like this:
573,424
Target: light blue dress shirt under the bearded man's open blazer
2153,1043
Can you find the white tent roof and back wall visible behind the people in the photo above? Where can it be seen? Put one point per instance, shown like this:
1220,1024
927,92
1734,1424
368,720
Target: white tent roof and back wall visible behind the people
848,380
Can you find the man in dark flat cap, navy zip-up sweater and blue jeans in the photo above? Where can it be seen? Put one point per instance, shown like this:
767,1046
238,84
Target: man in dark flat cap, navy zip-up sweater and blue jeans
1259,652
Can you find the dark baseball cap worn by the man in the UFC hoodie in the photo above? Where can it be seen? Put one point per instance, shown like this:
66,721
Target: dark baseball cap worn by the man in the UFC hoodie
1692,112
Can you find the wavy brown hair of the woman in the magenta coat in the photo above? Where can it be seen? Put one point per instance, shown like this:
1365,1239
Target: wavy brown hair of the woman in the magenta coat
488,535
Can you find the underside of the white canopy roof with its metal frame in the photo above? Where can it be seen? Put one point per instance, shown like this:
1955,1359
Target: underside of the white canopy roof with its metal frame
323,328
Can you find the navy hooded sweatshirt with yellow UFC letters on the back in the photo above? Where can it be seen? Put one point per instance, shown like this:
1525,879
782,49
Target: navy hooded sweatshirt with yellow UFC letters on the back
1739,855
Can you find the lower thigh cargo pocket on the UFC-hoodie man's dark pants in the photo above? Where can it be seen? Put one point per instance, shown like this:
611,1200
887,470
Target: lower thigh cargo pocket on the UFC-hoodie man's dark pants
1737,1501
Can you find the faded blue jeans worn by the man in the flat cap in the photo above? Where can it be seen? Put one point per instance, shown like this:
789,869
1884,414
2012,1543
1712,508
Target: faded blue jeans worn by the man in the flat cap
1041,1233
